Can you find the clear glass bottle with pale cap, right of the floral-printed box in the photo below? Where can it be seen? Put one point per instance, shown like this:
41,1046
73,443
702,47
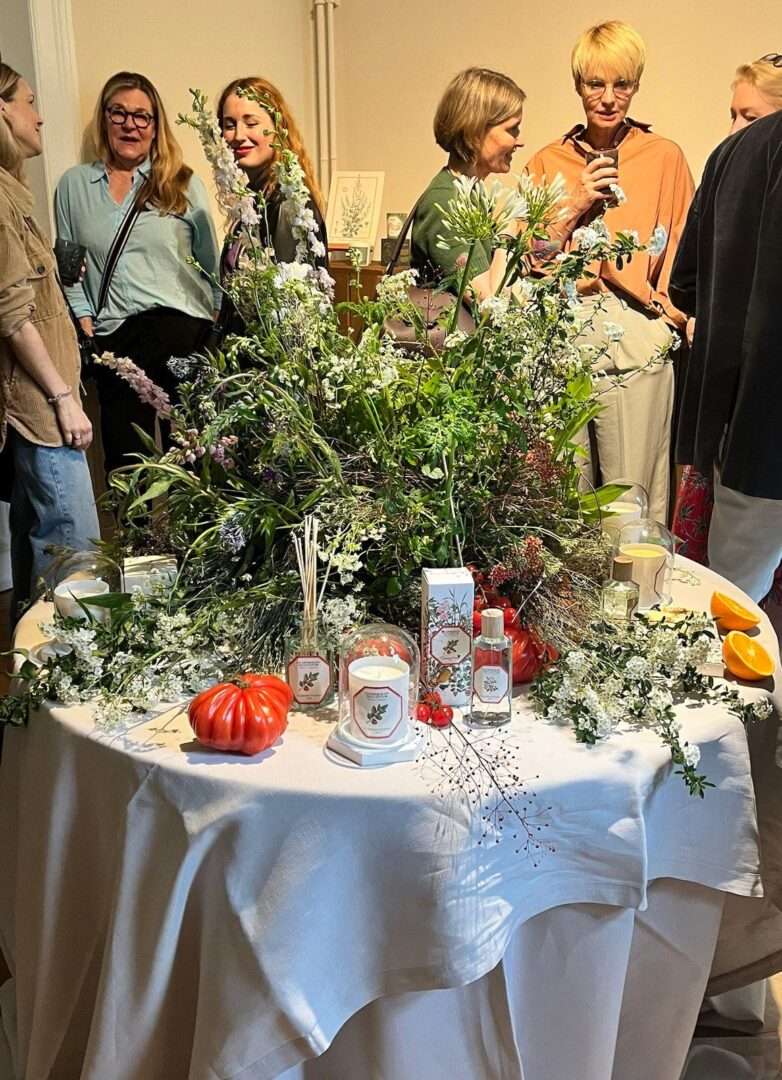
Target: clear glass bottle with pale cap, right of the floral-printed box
492,673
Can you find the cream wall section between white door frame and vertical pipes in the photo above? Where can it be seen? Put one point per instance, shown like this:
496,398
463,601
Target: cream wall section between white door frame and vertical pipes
199,44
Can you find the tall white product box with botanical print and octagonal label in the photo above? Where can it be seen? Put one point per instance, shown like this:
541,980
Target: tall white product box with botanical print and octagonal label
447,633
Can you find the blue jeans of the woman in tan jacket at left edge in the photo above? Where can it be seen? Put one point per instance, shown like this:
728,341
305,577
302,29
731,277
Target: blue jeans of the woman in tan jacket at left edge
52,504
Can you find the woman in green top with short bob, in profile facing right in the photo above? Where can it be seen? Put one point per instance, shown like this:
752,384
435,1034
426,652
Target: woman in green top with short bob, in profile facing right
478,124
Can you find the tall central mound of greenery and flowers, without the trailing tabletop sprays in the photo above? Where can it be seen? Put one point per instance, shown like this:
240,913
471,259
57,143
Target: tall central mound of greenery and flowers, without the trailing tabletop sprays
410,460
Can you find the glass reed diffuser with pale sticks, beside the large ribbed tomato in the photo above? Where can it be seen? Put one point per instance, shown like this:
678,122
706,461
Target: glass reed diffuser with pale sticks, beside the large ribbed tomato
309,667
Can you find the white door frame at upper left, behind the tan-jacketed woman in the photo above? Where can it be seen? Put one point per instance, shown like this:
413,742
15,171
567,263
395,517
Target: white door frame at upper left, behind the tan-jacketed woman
58,88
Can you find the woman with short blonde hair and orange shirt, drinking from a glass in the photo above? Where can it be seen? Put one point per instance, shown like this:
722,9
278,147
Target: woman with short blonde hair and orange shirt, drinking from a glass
616,167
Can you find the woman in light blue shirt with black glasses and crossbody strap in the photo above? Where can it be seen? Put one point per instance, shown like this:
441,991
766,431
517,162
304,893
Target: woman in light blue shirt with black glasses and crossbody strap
145,300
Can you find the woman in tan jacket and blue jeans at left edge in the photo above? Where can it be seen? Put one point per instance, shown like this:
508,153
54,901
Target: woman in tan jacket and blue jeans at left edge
44,429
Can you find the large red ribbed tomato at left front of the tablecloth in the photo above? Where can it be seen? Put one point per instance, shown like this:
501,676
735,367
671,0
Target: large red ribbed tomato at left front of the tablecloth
246,717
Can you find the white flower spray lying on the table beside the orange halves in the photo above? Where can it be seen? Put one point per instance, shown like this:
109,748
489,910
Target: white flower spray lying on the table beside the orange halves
636,677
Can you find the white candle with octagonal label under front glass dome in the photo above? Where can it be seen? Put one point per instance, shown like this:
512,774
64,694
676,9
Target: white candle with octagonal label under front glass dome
380,699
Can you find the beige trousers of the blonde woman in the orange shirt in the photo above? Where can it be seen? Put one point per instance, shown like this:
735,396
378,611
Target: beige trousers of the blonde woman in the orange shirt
633,430
